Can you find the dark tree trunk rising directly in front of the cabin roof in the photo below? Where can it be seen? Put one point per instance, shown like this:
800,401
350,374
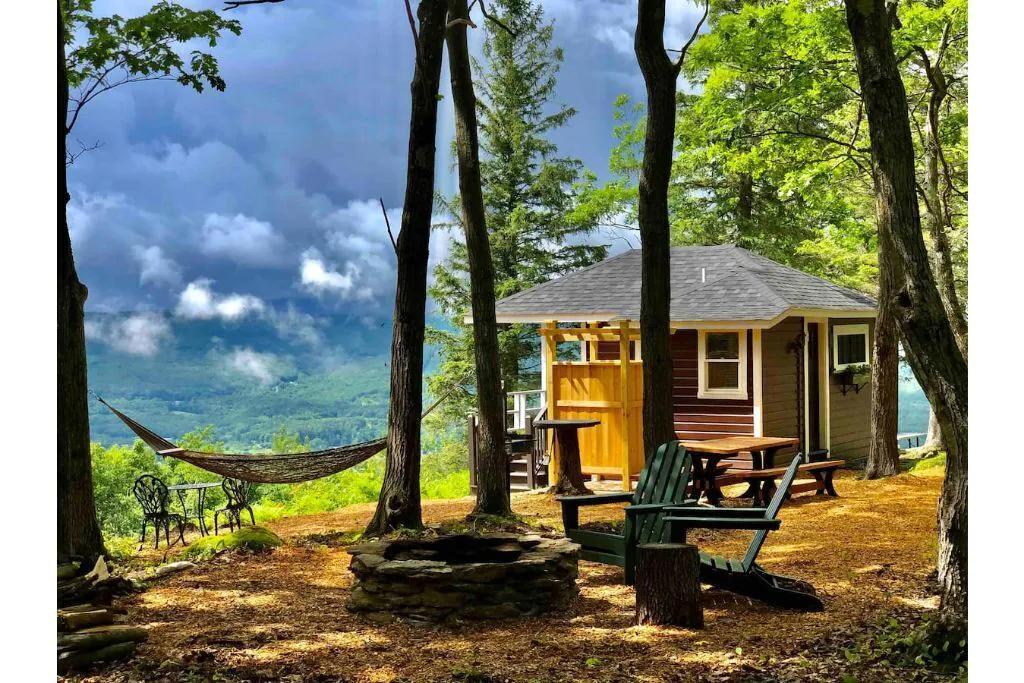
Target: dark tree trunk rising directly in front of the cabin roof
660,74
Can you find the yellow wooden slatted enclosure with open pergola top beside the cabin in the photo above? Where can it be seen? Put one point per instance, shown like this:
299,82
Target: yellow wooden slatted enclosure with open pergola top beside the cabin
608,391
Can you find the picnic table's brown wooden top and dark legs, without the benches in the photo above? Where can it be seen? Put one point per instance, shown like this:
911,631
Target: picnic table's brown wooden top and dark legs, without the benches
708,454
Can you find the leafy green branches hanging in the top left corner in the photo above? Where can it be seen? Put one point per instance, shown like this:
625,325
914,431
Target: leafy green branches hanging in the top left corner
105,53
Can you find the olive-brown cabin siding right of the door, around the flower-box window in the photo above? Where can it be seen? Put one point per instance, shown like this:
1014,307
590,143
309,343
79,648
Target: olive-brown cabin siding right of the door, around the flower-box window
850,415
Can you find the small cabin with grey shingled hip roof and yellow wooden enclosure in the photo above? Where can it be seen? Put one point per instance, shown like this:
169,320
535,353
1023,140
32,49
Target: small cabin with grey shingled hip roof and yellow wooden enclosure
758,349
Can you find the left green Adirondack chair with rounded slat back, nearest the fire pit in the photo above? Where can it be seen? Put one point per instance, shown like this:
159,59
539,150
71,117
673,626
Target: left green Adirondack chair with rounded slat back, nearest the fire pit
663,484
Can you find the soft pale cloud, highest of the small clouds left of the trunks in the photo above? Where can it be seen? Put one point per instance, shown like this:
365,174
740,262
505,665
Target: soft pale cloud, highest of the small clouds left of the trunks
242,240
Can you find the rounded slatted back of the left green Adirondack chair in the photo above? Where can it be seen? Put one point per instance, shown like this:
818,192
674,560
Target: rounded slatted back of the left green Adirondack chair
664,480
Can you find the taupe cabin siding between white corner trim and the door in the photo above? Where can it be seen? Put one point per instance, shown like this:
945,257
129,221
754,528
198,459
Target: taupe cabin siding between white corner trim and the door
780,383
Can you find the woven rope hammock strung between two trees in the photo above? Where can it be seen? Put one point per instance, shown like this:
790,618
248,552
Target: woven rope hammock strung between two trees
262,468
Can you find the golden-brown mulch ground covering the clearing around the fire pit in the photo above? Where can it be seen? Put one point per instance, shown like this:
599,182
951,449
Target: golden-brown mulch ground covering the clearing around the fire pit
281,616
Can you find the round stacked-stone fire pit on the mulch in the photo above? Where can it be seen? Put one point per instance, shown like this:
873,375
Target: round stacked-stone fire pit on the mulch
462,577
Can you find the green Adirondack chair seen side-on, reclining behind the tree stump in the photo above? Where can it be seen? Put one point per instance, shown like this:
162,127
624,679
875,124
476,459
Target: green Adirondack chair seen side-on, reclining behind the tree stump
746,577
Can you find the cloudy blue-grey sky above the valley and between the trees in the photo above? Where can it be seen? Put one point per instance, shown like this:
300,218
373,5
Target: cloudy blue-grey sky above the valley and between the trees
226,205
